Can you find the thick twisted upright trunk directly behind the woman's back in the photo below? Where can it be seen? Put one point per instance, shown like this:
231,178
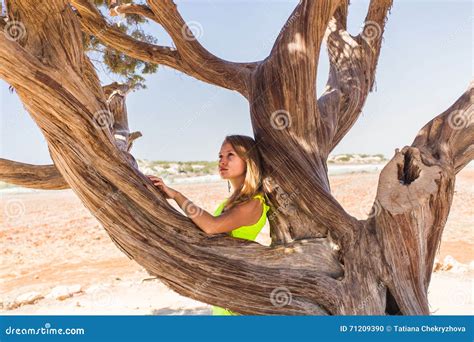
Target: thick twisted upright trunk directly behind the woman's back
284,117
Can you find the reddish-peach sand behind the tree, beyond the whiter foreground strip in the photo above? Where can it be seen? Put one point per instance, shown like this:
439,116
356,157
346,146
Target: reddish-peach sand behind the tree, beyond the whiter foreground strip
49,238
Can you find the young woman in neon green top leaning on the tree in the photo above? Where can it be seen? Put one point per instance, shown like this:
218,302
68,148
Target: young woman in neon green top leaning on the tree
243,214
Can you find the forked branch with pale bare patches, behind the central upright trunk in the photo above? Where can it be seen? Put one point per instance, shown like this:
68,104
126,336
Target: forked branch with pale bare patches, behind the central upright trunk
353,62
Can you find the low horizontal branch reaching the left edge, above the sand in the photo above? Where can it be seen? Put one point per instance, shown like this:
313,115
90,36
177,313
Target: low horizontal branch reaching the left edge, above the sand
45,177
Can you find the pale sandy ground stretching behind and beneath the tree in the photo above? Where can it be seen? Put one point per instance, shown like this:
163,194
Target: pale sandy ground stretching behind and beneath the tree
51,247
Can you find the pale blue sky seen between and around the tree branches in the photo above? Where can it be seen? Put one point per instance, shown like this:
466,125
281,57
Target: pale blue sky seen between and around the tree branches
425,65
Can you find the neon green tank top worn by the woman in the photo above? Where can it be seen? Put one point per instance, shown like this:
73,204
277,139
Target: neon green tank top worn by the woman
244,232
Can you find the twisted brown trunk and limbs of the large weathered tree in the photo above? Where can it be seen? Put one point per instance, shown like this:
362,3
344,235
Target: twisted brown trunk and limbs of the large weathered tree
322,260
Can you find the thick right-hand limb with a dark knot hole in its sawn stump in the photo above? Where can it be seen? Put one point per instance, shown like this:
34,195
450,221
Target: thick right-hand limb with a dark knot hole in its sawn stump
414,196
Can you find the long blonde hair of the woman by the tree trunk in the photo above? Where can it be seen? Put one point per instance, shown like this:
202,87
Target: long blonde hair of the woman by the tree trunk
245,147
